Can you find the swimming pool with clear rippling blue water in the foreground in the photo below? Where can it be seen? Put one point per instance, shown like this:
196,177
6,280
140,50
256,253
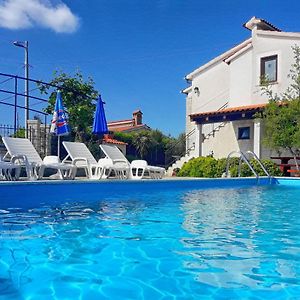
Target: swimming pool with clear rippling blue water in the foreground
192,239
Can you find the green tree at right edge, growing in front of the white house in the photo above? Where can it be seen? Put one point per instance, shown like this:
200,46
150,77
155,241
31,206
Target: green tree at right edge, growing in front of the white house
282,115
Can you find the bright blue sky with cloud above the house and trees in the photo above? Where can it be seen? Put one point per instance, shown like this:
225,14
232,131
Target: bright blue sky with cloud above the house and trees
137,51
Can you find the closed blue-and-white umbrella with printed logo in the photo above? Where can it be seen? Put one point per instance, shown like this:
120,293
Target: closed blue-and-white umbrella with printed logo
59,124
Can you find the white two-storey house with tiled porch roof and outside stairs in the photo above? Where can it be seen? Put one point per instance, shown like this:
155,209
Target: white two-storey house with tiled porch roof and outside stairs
224,94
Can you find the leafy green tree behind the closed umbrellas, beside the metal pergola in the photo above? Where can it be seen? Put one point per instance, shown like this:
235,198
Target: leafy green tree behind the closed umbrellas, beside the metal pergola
78,96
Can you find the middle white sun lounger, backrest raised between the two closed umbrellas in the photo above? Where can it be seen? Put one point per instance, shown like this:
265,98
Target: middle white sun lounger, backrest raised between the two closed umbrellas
81,157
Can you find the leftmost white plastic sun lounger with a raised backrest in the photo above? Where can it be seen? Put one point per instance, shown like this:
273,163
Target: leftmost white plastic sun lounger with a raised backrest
22,152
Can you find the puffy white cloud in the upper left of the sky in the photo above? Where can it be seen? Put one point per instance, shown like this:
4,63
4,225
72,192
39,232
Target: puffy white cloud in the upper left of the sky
20,14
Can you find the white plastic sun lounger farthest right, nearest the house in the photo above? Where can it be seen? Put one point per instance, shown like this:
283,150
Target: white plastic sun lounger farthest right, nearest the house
139,169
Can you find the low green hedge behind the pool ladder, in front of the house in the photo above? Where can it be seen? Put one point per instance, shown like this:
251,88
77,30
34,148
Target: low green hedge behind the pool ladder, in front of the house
210,167
